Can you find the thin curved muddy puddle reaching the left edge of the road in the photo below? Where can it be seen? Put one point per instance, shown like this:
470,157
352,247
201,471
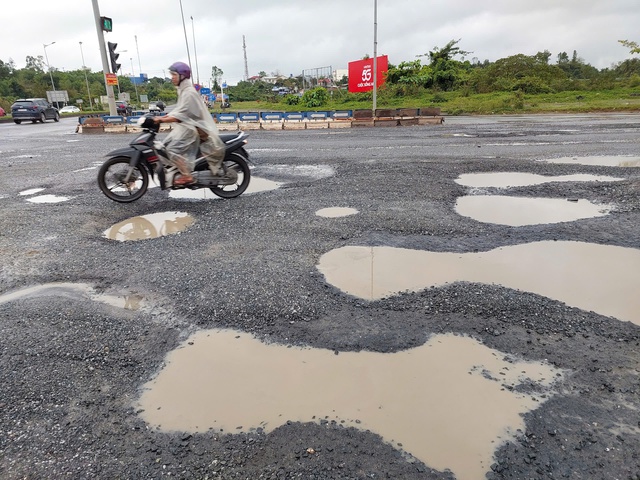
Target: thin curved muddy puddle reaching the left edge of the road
78,291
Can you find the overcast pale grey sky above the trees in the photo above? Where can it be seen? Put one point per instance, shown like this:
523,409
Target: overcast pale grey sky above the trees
288,36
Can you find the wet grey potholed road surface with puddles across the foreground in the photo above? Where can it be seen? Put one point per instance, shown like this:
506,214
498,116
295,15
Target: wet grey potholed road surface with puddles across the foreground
431,302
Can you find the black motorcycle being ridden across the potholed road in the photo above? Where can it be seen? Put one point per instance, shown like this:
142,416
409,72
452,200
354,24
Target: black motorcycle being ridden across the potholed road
124,177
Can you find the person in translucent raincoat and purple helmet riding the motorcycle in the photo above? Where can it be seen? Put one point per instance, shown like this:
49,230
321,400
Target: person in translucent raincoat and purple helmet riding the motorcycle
194,128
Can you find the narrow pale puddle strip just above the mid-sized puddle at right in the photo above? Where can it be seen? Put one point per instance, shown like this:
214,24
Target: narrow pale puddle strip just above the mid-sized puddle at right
522,179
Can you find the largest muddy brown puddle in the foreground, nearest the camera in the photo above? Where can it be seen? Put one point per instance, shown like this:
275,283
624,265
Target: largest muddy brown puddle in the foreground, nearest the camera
449,403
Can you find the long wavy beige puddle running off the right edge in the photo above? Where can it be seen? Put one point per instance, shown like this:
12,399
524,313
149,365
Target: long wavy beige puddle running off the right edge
599,278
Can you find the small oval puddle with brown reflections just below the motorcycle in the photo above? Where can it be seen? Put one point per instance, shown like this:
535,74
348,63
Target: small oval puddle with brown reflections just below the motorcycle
150,226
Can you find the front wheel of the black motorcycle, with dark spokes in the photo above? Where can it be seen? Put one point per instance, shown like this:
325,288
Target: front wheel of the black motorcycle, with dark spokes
121,182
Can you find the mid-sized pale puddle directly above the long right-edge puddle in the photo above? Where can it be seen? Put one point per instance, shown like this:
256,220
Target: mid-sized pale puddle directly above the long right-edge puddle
521,211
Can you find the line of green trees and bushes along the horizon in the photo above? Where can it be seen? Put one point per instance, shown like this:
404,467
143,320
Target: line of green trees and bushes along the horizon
443,69
